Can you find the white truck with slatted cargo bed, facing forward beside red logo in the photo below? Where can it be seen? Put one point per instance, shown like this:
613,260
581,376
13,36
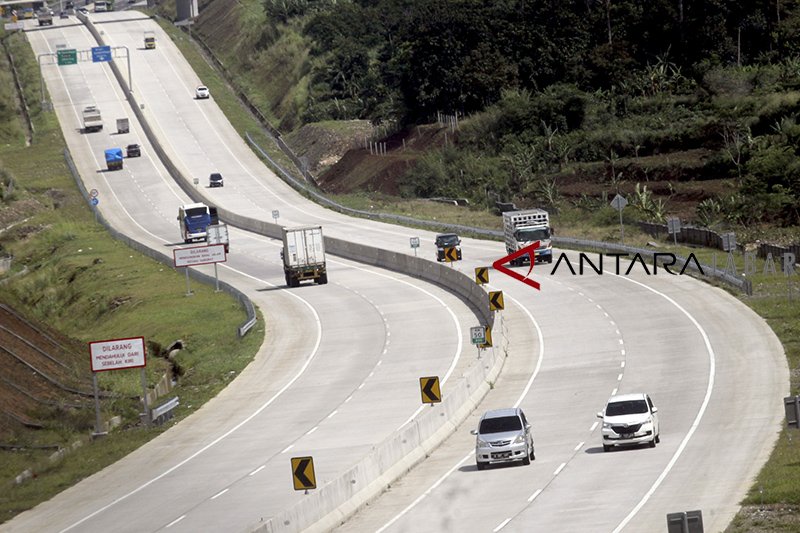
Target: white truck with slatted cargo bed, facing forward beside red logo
523,228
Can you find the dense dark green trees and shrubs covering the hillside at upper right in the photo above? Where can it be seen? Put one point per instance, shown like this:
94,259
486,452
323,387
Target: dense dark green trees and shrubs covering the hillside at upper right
546,88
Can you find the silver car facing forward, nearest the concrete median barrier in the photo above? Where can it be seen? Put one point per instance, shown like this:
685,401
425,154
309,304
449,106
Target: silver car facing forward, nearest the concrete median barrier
503,435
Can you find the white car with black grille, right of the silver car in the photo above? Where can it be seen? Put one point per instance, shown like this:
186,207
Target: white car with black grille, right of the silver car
630,419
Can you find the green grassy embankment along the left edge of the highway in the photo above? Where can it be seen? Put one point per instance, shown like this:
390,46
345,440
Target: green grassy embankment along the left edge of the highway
82,282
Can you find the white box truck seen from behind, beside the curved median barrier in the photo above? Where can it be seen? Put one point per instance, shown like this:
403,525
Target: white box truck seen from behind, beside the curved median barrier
303,255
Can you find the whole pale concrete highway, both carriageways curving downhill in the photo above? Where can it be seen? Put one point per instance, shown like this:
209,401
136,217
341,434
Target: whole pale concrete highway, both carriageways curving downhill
713,368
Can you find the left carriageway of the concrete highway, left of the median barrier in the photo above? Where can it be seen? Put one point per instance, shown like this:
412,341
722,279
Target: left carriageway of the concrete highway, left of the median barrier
335,354
